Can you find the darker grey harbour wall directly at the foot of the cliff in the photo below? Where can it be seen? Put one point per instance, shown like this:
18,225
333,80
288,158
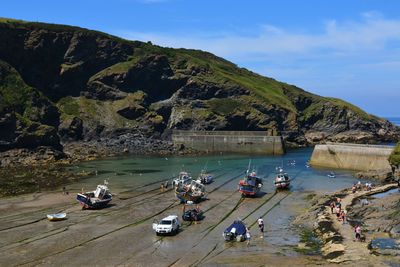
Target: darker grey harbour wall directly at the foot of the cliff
255,142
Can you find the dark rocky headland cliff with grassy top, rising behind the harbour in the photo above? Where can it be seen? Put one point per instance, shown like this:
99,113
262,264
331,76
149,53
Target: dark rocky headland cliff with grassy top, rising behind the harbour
62,84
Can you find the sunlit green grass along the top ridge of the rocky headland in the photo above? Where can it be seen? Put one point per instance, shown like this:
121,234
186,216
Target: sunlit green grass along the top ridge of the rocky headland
219,71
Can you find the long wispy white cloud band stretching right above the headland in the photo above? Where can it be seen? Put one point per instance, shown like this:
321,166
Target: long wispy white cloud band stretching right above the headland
371,32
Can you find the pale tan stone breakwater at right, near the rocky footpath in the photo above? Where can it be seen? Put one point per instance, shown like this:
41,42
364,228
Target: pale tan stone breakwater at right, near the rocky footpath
351,156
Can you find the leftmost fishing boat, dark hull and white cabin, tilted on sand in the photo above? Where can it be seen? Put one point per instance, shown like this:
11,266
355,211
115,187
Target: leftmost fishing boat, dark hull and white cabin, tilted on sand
95,199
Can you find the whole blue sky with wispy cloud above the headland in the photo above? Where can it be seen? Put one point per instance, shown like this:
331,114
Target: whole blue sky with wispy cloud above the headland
346,49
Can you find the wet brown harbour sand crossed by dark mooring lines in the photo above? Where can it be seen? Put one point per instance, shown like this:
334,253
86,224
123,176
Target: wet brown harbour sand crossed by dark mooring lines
122,235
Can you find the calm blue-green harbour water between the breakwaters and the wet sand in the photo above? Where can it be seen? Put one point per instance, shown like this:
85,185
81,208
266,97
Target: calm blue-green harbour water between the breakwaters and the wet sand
128,173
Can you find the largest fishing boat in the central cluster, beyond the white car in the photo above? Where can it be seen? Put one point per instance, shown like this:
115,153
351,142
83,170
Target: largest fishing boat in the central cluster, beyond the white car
190,192
